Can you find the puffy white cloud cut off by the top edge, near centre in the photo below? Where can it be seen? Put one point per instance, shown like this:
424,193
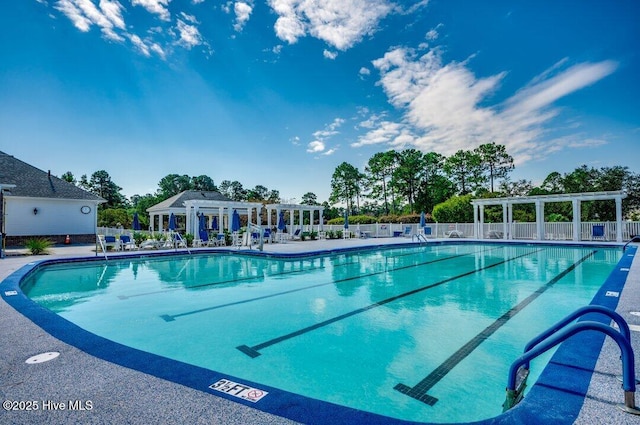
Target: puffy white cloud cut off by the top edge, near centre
339,23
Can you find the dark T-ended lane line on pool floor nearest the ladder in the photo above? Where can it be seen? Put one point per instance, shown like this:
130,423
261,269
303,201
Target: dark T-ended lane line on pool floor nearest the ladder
419,391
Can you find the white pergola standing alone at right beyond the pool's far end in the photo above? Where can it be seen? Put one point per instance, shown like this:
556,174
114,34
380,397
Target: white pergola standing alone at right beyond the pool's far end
540,201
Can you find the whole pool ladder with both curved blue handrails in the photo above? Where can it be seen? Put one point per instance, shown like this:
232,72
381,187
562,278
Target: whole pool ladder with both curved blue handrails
519,370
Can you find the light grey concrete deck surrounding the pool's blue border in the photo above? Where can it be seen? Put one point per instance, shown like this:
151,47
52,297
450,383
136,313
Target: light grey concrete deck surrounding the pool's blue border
121,395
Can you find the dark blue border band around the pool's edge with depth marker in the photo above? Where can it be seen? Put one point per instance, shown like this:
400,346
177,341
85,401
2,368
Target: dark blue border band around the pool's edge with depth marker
548,401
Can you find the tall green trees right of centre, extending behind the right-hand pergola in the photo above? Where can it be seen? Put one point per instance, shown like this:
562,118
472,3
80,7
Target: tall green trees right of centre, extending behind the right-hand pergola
408,182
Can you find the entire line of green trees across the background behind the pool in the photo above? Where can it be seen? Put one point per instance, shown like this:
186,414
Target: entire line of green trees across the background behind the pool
398,183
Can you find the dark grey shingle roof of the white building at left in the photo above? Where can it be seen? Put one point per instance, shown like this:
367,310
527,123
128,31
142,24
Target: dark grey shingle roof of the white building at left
34,183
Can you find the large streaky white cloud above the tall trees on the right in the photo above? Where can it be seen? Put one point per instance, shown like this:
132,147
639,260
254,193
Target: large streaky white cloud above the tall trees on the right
446,107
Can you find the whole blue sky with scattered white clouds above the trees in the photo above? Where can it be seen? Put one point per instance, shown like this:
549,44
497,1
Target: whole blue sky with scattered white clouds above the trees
280,92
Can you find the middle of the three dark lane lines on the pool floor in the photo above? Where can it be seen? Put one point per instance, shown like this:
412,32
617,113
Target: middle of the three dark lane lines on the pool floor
254,351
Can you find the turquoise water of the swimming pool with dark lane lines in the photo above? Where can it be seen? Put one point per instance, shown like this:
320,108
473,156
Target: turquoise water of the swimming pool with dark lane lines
407,332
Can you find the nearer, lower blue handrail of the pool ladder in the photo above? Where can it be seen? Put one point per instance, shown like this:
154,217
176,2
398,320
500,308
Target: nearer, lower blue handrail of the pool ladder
514,393
